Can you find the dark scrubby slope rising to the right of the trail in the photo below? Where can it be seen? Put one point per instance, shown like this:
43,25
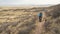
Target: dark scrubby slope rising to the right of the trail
52,25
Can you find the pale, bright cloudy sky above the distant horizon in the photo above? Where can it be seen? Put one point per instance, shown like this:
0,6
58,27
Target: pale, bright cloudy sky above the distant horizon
28,2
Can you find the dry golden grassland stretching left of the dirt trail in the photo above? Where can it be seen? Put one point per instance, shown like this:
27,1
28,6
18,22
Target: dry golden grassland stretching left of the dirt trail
17,21
